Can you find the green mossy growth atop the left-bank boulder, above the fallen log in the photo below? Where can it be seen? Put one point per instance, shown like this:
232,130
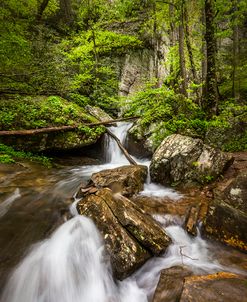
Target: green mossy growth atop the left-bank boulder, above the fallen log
38,112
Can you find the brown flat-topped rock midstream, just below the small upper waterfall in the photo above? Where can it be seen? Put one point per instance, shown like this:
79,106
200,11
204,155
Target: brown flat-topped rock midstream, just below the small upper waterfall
128,180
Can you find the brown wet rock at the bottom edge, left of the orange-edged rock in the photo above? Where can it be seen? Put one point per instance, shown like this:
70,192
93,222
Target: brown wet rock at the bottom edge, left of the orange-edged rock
170,286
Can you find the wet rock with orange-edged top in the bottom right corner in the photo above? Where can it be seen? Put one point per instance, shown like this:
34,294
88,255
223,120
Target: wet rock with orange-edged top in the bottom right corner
219,287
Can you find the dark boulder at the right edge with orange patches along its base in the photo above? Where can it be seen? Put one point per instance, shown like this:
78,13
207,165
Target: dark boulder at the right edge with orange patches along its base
227,215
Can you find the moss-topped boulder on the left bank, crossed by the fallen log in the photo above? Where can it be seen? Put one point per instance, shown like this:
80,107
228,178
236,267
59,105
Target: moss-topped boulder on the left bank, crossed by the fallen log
23,113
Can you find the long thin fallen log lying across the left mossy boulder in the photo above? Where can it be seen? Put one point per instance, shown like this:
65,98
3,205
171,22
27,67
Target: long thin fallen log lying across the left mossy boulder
62,128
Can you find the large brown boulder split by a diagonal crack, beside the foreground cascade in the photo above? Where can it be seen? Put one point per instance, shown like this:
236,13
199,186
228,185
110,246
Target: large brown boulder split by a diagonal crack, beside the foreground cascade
131,237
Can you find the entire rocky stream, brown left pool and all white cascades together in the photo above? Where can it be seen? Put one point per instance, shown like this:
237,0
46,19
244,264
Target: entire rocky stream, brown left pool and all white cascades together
47,258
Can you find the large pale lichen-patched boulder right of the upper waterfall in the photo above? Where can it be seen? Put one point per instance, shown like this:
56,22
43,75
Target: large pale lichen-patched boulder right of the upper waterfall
183,160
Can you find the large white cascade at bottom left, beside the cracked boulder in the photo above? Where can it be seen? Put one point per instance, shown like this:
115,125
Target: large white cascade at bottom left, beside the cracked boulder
71,266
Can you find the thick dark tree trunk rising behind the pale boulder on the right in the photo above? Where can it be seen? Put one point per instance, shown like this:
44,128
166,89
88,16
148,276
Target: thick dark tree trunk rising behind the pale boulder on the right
211,97
